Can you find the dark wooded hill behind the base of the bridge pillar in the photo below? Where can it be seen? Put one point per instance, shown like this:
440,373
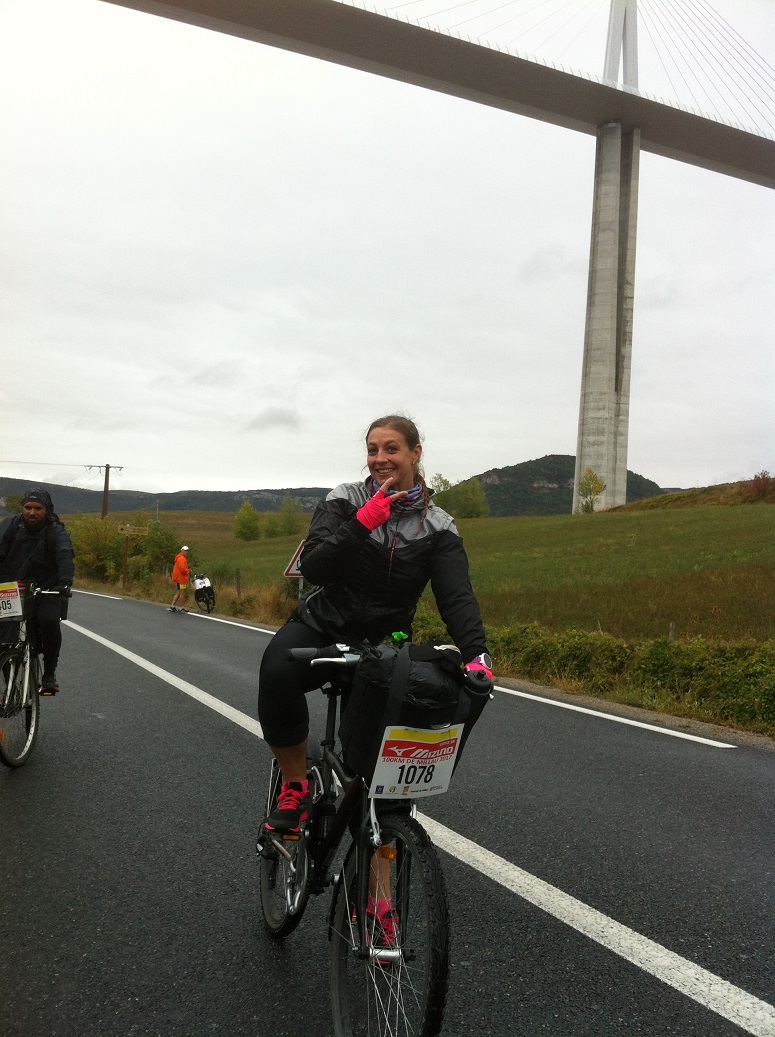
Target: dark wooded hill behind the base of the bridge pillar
545,488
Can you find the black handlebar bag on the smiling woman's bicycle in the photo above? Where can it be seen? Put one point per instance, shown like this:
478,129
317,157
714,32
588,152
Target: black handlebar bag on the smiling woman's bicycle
411,685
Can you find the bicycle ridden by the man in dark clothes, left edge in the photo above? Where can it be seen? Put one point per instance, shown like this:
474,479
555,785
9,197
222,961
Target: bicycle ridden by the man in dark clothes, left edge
21,675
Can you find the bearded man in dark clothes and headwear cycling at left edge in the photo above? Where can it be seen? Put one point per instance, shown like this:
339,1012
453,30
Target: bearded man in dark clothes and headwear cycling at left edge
37,548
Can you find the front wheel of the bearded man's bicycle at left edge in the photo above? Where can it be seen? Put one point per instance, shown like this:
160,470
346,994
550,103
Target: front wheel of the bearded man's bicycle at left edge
19,721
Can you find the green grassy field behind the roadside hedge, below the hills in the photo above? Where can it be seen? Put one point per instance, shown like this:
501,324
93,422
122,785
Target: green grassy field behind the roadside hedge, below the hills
709,572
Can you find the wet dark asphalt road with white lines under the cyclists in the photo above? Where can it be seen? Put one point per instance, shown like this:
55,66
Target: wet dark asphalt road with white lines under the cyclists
605,879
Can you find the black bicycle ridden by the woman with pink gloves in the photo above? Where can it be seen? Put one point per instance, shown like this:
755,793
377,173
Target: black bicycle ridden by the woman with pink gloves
382,987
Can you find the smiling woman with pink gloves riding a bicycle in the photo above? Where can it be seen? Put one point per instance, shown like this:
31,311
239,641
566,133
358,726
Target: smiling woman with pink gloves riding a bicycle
371,551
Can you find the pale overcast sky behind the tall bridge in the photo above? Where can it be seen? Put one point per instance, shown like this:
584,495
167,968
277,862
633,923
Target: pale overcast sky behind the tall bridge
222,261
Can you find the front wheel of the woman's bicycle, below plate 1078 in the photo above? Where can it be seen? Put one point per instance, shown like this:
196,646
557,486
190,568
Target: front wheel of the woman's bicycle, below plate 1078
405,998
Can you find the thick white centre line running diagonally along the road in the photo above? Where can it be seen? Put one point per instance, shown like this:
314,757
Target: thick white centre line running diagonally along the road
752,1015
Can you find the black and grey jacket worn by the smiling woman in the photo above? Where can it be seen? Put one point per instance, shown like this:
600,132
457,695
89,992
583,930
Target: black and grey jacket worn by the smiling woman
369,584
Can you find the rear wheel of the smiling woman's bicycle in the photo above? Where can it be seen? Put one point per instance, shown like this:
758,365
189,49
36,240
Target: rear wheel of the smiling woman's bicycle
286,885
